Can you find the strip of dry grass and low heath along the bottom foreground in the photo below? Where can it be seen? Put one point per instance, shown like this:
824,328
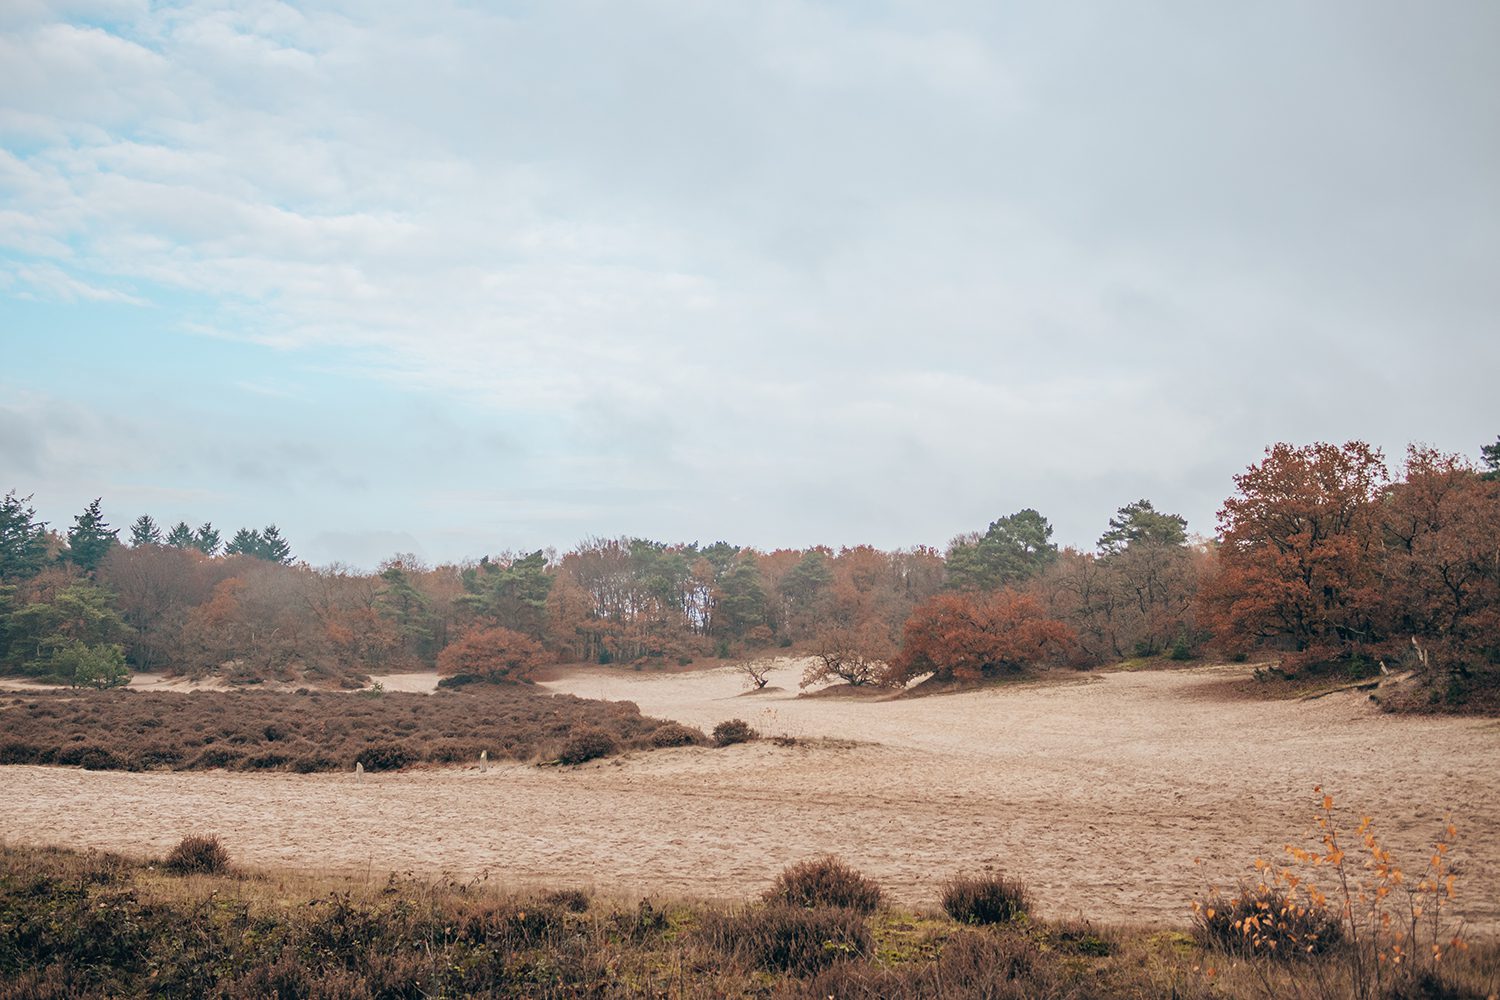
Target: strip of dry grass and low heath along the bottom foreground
101,926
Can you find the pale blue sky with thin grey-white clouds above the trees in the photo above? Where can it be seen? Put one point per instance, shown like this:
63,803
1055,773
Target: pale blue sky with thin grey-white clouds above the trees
467,278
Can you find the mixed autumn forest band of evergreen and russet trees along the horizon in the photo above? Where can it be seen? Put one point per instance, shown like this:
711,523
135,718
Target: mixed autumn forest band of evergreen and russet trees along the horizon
1325,561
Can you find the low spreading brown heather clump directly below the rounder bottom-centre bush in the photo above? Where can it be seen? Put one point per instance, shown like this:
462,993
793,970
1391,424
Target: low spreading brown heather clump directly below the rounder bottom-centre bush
790,939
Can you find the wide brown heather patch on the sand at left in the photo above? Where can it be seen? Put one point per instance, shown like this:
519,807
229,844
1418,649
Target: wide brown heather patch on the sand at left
271,731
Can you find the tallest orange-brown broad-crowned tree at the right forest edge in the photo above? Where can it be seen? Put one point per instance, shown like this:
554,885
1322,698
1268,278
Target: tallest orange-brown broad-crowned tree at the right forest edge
1298,558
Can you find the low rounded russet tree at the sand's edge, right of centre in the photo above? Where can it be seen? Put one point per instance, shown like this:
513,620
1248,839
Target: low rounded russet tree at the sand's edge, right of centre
973,636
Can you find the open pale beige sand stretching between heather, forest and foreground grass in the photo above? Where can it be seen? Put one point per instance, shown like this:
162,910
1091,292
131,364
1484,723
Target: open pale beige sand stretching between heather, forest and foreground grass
1100,794
